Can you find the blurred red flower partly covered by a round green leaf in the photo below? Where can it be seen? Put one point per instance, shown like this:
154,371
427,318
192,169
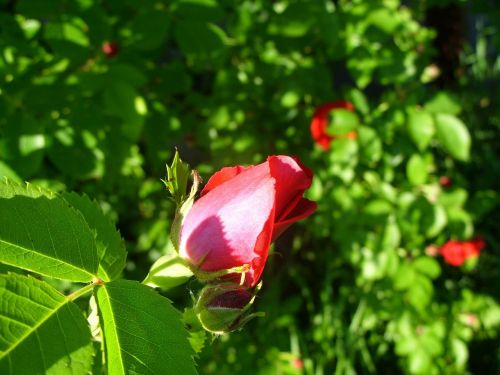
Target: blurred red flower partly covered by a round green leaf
320,120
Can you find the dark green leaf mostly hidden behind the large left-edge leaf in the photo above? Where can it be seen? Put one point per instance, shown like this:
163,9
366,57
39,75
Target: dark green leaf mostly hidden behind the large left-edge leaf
110,246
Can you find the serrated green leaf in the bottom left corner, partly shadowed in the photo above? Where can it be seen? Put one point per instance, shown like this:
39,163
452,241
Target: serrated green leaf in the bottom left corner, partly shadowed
41,331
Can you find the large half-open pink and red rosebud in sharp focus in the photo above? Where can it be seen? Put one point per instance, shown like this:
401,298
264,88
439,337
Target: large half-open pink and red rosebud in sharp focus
241,211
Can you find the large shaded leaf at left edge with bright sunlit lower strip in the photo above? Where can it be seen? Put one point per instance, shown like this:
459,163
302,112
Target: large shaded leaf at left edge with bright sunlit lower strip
40,232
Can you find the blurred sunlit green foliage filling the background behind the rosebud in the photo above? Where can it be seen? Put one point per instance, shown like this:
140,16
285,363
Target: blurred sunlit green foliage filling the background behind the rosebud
96,95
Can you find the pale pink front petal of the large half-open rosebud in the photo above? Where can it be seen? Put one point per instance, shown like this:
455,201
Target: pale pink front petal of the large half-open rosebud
231,225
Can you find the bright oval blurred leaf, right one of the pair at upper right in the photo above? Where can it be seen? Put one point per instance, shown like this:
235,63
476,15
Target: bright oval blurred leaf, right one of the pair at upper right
453,136
